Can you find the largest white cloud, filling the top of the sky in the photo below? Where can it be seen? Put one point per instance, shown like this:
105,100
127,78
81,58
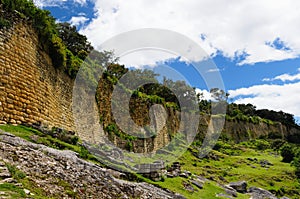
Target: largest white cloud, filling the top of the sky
230,28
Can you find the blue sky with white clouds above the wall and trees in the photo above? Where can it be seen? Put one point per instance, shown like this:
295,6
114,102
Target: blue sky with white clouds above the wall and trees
254,44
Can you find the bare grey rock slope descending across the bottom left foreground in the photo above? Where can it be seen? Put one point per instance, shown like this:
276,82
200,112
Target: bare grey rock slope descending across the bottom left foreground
46,167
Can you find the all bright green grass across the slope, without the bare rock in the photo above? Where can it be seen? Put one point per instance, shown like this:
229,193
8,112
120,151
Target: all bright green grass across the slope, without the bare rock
232,164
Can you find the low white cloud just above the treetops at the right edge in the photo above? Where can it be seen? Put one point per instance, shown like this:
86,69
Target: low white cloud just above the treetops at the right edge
275,97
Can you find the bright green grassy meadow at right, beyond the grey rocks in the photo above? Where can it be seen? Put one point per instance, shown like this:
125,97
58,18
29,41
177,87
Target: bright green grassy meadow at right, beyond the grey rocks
279,178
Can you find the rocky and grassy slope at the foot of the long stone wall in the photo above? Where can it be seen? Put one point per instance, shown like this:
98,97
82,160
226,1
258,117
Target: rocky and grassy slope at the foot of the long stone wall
42,166
